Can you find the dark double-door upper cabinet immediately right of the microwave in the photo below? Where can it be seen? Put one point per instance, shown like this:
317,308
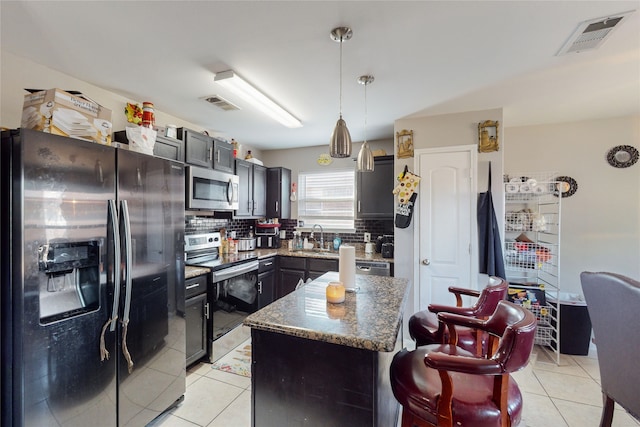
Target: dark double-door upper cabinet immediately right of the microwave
252,200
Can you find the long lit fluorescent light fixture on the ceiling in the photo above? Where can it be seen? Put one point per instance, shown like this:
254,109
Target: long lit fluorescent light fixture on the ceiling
230,80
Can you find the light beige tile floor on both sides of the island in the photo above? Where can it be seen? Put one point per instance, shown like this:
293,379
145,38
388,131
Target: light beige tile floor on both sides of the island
565,395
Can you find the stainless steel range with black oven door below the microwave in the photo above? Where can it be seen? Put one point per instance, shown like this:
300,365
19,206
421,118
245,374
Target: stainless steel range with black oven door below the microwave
233,287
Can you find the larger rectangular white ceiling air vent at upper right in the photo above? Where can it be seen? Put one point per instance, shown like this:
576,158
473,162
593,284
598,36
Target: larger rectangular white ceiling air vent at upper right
592,33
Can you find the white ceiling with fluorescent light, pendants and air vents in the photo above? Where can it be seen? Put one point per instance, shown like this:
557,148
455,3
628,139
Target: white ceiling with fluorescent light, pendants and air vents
428,58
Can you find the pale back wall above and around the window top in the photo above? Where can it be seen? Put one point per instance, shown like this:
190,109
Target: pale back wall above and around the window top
305,159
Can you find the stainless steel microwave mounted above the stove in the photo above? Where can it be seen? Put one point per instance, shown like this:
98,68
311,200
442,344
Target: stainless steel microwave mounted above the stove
208,189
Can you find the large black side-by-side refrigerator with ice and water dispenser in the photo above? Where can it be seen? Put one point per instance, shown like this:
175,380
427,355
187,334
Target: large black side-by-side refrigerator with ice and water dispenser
92,272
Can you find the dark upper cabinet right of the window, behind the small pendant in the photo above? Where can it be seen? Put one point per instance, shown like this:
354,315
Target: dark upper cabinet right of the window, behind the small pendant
374,190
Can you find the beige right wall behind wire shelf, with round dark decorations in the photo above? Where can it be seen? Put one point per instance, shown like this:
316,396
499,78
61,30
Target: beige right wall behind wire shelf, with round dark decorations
601,222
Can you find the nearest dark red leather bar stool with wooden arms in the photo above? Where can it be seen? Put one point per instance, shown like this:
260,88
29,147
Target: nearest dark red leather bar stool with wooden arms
444,385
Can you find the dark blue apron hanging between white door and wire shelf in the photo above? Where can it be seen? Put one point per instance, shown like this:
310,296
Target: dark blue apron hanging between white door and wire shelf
489,244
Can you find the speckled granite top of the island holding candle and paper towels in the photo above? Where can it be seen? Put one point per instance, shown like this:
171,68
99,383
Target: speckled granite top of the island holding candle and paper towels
369,319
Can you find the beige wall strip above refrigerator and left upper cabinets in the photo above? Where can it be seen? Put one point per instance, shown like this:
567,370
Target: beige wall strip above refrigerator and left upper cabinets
18,73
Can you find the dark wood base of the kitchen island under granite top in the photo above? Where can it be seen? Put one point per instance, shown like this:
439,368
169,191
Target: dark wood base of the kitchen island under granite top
297,381
